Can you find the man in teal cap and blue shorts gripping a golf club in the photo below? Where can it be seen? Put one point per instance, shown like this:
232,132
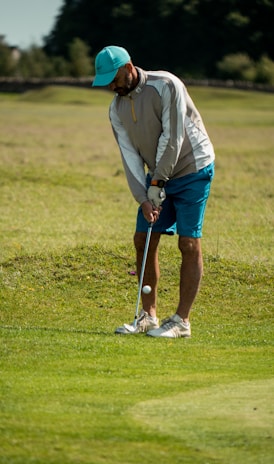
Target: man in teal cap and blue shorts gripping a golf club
169,163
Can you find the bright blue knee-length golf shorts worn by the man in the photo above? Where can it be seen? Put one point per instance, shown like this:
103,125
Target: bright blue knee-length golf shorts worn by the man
184,207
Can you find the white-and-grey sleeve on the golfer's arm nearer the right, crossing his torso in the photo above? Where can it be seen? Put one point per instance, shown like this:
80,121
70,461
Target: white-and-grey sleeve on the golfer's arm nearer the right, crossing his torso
173,123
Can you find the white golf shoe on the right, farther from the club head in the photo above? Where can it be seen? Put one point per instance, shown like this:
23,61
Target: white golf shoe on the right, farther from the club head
173,327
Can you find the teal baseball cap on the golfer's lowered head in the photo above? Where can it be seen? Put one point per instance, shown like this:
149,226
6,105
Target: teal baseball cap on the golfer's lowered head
107,63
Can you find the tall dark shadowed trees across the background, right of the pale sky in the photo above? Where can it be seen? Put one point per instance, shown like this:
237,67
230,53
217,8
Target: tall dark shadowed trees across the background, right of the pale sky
225,39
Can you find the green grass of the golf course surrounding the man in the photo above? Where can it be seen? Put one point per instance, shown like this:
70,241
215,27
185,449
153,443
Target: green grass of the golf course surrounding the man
72,391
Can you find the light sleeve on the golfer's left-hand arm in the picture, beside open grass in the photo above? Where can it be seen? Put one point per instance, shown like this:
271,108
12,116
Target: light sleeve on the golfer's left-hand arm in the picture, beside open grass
132,161
